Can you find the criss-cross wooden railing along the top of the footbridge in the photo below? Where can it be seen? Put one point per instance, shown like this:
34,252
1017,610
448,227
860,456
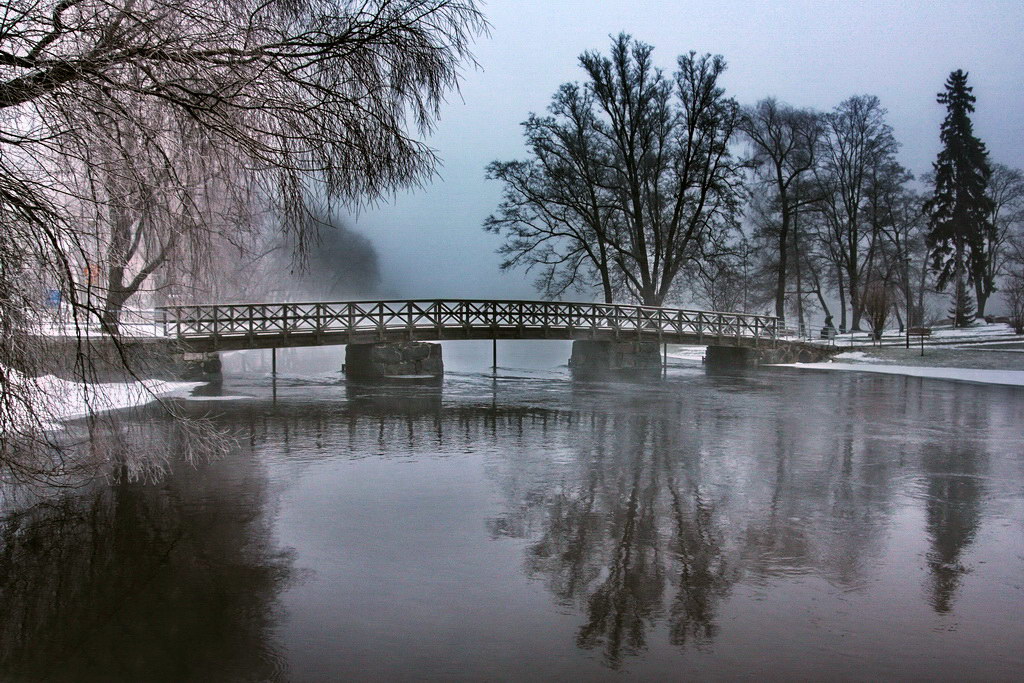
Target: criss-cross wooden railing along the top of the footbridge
220,321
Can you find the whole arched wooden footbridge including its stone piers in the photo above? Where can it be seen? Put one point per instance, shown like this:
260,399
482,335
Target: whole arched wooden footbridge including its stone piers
609,336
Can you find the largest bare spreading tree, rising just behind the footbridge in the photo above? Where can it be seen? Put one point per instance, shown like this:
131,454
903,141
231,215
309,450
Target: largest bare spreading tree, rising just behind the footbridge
631,179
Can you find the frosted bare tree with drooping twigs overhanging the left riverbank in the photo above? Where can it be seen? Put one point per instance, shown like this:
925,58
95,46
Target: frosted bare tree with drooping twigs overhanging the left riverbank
127,130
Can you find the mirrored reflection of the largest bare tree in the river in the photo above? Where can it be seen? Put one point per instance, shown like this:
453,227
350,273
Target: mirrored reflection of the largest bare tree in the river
636,528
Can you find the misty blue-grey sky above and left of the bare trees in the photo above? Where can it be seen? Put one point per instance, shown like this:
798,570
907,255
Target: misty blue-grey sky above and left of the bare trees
808,54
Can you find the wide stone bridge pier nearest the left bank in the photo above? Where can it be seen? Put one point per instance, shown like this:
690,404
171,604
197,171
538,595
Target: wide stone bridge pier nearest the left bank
395,361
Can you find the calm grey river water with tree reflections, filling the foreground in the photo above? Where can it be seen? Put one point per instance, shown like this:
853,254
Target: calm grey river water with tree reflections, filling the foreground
774,524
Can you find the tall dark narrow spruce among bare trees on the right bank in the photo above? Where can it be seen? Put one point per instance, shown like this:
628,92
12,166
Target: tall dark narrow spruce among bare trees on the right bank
959,210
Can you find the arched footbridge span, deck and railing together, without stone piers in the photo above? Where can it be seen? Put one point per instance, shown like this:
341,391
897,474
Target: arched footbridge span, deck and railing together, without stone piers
231,327
